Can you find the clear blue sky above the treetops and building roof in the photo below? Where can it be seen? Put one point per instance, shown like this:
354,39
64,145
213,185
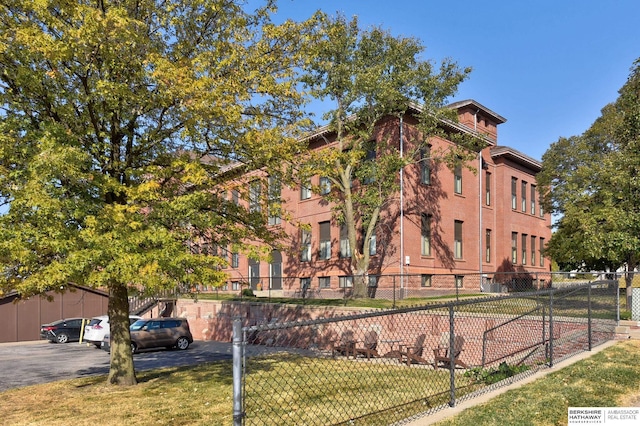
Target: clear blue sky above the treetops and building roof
548,67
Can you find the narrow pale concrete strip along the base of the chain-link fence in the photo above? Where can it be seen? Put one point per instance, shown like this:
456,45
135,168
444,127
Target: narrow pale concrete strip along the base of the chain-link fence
626,330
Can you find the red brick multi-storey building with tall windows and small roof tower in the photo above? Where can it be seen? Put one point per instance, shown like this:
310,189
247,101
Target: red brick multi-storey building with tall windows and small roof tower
444,223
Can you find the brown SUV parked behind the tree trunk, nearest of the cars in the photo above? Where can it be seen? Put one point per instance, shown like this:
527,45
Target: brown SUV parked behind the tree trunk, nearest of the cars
157,333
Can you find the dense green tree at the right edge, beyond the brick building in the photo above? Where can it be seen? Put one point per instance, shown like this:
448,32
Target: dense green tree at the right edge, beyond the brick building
591,183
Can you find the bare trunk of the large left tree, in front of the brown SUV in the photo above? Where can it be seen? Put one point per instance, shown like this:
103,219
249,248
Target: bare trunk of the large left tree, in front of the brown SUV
121,370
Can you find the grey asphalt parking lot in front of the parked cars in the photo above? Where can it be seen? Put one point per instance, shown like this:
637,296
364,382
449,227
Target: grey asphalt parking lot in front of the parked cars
29,363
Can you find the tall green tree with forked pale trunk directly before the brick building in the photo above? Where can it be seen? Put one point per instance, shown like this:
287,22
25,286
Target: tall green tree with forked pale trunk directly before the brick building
364,76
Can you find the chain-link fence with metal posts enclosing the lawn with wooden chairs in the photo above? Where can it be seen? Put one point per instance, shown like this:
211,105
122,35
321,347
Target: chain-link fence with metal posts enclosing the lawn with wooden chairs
384,367
